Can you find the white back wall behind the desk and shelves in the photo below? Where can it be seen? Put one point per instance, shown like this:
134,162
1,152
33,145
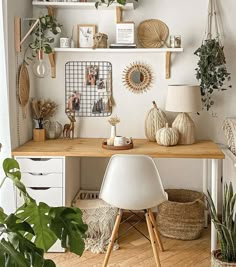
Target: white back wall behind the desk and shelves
186,18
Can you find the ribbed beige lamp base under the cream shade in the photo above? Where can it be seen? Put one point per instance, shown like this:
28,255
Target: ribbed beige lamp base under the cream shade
186,128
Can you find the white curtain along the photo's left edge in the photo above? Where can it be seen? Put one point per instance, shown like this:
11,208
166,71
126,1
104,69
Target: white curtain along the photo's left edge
7,197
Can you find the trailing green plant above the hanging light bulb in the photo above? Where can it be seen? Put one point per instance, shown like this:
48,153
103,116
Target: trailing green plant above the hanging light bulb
45,35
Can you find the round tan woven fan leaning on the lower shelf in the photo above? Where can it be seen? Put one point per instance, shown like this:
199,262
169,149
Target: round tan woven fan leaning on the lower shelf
152,33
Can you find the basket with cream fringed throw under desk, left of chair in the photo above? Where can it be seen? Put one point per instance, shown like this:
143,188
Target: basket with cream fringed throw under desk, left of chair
100,218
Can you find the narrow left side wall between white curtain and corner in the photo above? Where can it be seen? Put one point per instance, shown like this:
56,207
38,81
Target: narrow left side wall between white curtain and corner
23,9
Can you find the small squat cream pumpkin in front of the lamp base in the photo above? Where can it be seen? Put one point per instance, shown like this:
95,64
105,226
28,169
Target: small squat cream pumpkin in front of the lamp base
167,136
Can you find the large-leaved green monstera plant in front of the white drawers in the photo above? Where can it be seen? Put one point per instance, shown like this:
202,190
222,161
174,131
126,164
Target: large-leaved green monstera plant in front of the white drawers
34,228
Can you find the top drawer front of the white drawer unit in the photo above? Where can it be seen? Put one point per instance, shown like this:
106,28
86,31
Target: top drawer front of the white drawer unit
40,165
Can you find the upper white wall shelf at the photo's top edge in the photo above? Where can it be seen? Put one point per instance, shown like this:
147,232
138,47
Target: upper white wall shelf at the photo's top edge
80,5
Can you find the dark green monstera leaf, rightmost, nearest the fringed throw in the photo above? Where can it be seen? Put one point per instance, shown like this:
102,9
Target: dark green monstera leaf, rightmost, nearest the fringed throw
68,226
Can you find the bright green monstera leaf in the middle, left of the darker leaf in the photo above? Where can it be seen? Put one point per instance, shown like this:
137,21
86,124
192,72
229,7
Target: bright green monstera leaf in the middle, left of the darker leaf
37,216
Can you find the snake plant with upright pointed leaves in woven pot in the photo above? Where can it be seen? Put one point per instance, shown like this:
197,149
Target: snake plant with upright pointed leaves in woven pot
226,229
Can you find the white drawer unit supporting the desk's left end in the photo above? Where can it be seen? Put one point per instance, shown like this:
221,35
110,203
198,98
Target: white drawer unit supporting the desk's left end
52,180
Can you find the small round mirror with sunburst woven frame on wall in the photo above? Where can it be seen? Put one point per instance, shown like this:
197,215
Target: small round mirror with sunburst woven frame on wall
137,77
